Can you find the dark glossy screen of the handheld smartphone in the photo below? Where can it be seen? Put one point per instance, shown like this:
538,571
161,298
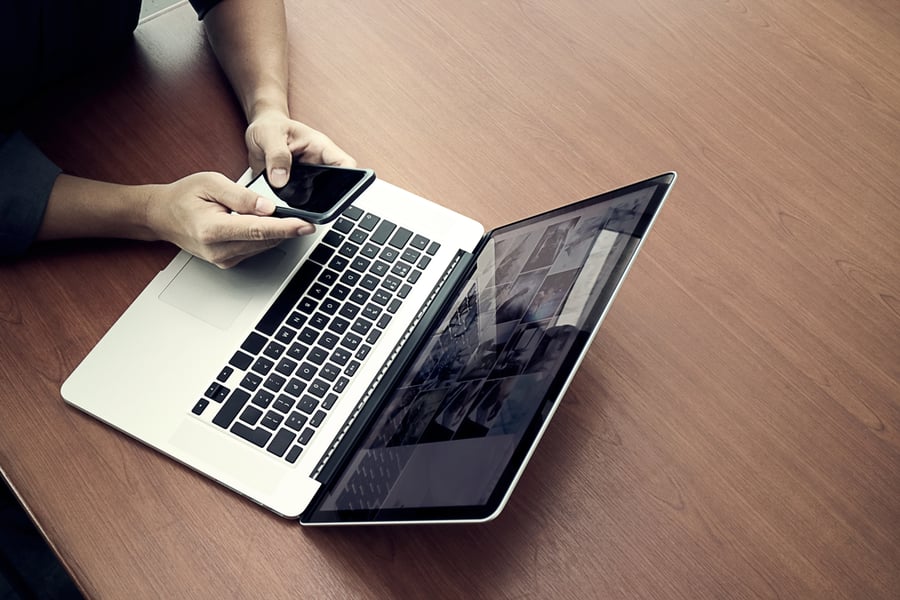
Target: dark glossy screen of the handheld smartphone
317,188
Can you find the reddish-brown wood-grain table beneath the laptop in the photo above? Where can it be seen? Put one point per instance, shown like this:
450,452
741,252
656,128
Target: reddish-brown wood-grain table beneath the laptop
733,432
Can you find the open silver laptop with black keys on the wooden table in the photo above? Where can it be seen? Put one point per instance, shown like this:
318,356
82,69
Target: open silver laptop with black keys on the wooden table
400,365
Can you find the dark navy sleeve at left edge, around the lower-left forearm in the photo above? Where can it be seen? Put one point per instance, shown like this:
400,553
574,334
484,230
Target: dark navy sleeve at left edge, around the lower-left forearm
26,178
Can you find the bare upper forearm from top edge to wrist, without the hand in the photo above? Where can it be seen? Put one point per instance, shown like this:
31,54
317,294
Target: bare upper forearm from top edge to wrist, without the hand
249,38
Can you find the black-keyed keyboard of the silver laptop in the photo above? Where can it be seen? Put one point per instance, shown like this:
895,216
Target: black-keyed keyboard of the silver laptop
310,343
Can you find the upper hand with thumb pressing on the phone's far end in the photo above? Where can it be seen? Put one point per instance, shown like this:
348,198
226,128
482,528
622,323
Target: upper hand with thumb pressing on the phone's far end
273,140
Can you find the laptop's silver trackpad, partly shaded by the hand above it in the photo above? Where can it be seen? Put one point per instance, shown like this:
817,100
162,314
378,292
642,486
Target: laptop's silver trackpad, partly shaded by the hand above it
217,296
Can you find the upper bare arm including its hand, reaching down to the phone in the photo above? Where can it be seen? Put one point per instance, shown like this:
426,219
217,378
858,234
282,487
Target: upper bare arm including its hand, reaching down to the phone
249,38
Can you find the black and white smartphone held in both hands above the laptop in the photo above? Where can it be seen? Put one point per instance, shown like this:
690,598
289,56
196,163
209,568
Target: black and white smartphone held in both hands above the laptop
317,193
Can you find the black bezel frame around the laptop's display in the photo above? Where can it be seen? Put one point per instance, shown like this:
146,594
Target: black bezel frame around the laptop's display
552,398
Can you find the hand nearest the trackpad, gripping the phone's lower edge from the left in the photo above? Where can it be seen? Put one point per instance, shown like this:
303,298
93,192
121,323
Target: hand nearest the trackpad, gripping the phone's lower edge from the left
195,213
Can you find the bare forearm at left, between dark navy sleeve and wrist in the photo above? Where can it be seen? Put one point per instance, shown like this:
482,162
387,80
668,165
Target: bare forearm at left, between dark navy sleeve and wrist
80,208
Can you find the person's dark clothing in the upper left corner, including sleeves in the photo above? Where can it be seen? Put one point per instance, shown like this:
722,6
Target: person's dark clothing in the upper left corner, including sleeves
41,42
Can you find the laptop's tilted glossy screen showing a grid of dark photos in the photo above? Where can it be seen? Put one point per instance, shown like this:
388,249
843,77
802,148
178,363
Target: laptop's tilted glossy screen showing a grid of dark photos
456,432
